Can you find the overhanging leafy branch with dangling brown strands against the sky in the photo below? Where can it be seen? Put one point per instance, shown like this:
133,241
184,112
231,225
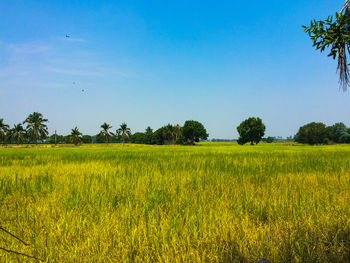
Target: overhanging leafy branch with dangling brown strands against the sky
334,33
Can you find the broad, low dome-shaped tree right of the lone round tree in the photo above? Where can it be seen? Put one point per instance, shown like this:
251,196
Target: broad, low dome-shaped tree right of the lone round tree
313,133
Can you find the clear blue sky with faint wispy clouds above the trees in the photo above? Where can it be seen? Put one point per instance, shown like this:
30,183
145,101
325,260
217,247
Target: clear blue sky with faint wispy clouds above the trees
150,63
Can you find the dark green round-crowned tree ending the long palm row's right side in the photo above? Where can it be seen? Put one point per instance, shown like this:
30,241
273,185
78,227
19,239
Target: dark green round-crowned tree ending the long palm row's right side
193,131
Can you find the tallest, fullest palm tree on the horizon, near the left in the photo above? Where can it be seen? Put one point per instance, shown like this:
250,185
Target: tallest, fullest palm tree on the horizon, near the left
36,128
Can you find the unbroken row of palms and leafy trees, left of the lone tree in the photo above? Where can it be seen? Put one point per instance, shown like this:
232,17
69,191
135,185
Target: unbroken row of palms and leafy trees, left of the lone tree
34,130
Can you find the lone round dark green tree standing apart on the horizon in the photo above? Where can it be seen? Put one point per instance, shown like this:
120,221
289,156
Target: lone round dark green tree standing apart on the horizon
251,130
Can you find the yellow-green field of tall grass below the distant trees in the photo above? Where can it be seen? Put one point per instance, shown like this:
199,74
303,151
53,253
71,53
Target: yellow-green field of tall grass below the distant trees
207,203
